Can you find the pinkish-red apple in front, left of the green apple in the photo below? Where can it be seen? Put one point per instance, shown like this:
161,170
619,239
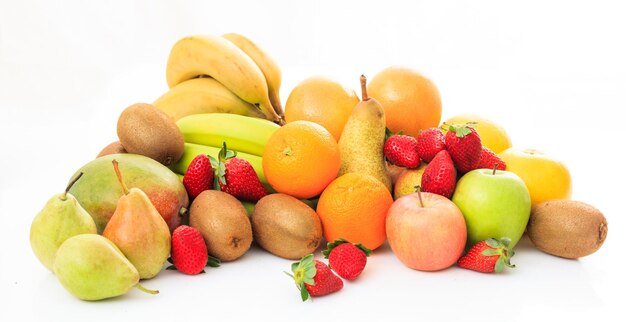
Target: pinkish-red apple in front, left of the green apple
426,231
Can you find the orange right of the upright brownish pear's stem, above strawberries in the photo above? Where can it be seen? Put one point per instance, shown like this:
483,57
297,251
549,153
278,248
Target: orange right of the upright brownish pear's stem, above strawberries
411,101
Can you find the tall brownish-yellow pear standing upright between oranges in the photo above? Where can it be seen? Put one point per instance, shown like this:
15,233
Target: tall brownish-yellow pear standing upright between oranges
362,140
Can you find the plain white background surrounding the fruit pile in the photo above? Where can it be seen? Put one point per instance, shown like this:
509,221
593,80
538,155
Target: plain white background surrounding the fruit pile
550,72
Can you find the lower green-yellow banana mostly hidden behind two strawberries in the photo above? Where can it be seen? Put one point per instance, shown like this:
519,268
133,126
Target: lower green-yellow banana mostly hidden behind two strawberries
192,150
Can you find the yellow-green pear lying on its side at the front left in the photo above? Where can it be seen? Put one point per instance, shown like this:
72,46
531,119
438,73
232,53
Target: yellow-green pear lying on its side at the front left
92,268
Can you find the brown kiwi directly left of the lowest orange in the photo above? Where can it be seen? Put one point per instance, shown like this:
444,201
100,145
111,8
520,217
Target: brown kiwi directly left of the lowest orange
286,226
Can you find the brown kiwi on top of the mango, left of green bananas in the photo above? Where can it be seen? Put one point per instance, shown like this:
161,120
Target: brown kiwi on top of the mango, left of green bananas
146,130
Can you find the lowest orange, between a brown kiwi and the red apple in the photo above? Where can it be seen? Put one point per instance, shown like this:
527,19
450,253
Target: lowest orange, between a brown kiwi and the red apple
354,207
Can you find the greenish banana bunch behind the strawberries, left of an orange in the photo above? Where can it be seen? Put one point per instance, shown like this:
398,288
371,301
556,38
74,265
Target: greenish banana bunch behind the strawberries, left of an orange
206,133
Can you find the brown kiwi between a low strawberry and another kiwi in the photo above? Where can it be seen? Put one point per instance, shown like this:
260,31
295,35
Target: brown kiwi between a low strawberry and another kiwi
223,222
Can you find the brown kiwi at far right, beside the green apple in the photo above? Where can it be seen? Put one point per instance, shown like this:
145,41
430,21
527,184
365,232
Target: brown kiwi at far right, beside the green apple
567,228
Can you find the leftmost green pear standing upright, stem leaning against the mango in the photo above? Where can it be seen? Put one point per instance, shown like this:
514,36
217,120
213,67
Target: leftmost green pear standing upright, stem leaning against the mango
61,218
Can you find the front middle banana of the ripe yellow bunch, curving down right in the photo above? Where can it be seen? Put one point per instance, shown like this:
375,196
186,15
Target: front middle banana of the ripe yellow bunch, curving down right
219,58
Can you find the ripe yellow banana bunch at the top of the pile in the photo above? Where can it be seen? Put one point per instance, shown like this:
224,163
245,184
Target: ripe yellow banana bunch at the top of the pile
221,74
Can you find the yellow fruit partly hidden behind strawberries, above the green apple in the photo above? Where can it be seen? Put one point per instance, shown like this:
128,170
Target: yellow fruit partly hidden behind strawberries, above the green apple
491,134
